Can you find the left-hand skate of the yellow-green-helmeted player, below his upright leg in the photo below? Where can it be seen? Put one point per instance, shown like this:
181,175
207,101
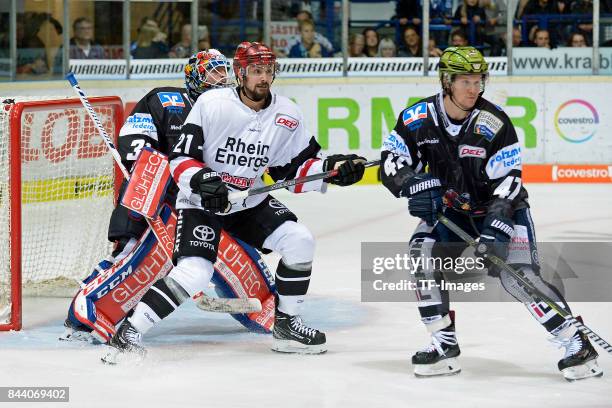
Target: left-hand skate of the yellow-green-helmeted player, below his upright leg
440,357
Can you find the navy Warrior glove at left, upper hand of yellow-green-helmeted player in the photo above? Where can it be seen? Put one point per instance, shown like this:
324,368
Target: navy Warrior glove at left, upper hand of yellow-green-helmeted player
424,194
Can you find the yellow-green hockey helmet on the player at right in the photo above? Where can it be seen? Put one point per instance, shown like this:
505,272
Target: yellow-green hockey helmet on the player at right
461,61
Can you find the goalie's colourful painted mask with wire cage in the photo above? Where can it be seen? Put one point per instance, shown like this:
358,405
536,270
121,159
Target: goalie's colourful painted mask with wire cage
206,70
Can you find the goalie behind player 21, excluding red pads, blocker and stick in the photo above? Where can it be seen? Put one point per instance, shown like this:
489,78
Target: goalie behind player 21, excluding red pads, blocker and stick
156,122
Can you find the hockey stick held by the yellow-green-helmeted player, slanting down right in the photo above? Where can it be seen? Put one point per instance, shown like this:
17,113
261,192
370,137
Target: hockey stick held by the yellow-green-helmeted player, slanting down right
528,285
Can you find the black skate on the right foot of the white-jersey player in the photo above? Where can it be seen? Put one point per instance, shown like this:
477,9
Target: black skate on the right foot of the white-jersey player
290,335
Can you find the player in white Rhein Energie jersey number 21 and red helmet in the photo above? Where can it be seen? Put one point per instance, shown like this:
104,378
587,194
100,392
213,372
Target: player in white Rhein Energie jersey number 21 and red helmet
230,138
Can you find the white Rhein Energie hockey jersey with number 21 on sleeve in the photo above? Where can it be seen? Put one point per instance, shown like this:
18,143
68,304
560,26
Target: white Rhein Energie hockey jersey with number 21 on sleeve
224,134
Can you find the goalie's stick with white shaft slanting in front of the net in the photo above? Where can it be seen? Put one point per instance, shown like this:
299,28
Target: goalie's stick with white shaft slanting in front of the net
158,227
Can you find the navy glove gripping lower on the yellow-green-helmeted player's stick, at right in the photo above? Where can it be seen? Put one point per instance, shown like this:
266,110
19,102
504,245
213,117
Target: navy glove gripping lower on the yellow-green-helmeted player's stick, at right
495,236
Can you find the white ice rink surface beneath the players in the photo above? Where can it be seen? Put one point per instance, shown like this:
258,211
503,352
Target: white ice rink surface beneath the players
199,359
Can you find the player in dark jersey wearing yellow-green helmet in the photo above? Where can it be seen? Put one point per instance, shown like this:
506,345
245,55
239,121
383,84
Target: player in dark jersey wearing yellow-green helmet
458,153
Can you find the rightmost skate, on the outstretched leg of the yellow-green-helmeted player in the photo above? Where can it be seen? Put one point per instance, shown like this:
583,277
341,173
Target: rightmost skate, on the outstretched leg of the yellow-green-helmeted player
580,360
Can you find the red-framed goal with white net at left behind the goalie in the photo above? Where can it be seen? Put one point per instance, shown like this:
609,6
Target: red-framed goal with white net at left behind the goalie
56,195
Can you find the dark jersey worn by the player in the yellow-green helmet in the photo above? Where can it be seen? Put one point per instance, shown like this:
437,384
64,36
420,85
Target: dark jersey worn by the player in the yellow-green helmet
480,156
